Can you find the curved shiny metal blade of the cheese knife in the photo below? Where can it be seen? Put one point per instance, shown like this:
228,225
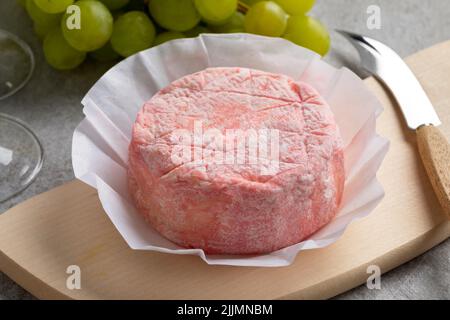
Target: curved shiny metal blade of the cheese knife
387,66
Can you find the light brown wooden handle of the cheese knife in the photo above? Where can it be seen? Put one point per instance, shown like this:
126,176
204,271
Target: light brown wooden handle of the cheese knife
435,152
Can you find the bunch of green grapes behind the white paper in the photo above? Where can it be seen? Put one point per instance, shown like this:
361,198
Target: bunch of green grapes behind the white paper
108,30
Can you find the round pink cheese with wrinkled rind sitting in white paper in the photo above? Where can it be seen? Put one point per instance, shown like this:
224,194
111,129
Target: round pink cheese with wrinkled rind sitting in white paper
235,206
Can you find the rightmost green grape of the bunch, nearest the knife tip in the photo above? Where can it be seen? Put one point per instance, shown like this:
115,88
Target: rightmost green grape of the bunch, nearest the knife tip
309,33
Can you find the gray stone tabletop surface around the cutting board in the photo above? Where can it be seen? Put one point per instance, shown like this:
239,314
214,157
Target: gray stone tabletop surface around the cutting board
50,103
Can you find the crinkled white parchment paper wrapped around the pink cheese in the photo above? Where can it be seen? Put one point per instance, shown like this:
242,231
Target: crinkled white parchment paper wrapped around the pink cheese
100,142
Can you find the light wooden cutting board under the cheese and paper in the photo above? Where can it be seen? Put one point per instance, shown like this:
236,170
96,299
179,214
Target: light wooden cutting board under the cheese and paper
42,237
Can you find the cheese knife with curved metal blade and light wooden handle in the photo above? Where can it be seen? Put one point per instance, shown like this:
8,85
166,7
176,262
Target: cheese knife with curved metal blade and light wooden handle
387,66
